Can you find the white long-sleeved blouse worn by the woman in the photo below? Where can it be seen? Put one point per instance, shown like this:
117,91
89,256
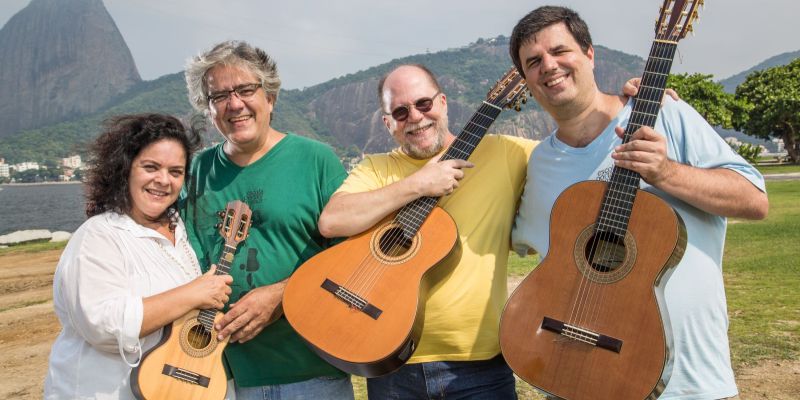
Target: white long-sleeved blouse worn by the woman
109,265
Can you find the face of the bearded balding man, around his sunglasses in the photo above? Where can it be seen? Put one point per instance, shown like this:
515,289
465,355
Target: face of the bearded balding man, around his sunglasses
423,134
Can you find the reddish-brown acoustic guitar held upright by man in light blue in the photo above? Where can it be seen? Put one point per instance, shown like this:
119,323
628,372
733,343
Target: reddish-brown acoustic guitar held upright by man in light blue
590,322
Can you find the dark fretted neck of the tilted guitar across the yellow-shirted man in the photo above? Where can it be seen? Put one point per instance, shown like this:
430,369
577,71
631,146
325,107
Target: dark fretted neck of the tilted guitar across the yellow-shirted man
413,214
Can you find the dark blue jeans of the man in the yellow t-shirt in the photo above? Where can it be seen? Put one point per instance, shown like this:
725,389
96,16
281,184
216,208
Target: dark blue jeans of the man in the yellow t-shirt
490,379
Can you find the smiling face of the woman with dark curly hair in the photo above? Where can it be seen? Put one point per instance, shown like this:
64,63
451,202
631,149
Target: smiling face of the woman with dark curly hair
156,178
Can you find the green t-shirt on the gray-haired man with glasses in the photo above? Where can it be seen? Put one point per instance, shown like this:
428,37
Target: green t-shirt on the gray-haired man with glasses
286,190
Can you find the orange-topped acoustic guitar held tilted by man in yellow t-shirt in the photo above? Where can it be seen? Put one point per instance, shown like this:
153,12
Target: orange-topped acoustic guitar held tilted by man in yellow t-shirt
358,303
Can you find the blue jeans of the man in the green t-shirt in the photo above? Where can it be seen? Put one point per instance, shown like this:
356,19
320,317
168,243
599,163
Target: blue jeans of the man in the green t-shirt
312,389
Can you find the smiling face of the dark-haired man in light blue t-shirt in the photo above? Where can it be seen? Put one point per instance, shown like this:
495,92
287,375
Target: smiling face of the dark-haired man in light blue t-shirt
558,73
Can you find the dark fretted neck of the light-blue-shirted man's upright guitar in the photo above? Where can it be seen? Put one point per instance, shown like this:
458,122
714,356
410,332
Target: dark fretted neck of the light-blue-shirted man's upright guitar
617,205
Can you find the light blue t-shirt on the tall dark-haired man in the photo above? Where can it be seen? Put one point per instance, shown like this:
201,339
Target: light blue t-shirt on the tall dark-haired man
695,294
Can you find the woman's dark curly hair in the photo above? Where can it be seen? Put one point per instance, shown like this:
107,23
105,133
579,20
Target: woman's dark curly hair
113,152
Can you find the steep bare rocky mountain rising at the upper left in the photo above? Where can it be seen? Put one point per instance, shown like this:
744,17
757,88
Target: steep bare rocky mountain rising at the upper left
60,59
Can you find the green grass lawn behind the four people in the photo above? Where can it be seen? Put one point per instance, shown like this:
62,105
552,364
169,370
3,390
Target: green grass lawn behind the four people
762,278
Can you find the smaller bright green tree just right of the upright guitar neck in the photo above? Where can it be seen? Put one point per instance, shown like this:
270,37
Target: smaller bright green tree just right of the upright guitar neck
707,97
